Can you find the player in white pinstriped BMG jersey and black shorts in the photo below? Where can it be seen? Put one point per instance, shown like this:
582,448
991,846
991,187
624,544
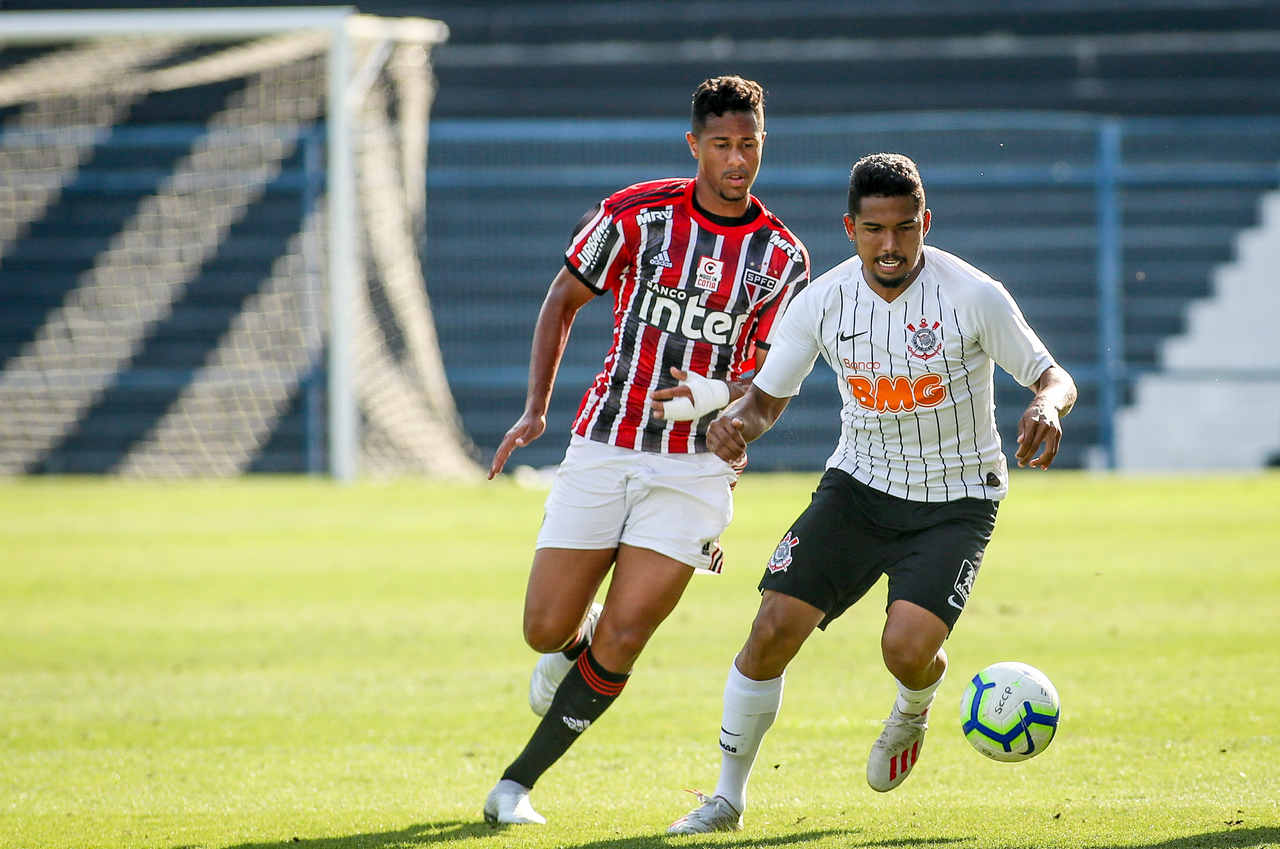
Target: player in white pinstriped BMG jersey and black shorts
912,490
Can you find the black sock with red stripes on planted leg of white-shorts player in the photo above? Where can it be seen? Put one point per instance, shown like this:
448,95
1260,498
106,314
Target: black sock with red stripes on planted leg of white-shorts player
580,700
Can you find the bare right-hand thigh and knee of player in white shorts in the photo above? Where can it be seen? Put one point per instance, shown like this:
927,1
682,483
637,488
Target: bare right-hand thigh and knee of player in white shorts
644,590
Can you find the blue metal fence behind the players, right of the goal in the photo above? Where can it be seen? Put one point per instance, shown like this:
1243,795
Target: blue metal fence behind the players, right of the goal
977,167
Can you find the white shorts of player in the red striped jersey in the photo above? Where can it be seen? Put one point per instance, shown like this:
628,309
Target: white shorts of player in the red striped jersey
676,505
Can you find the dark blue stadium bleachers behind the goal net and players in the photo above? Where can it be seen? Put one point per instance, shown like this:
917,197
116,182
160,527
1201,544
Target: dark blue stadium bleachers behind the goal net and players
488,263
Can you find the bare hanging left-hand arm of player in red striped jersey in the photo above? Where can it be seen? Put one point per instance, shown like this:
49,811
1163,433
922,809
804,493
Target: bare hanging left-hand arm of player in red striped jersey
565,298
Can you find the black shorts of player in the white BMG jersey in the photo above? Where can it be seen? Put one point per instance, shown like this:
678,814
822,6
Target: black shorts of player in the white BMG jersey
852,535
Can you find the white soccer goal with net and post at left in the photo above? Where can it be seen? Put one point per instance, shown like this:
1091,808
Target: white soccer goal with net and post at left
212,240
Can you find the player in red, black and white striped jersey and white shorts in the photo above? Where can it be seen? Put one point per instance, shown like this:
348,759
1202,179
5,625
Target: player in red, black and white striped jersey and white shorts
700,272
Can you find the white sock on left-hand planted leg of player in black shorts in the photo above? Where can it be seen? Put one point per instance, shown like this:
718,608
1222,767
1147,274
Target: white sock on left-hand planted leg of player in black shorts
749,711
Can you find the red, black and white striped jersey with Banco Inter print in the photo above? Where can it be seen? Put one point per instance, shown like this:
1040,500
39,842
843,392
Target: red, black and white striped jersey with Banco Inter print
691,290
